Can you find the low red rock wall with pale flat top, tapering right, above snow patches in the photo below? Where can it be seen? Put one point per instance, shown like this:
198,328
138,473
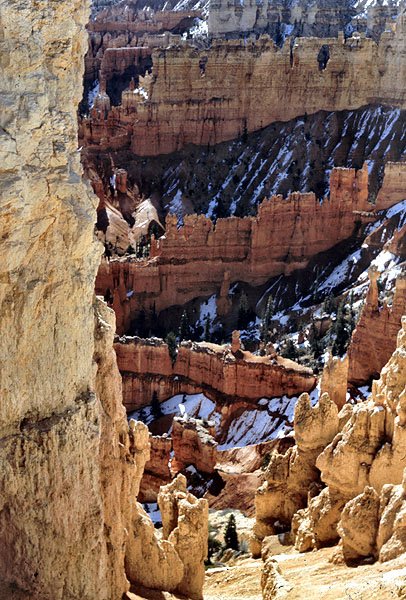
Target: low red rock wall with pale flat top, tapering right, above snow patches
146,367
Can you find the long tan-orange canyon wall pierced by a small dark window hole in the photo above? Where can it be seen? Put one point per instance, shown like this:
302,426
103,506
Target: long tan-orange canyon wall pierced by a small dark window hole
242,86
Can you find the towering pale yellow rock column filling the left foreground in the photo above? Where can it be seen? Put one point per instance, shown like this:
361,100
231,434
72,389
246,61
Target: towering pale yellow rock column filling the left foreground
53,543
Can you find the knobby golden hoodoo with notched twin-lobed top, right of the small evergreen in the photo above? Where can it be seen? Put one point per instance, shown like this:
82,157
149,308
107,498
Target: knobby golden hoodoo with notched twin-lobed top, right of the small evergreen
291,477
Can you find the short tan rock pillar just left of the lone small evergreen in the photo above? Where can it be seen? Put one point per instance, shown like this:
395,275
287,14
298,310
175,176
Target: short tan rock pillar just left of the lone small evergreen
185,525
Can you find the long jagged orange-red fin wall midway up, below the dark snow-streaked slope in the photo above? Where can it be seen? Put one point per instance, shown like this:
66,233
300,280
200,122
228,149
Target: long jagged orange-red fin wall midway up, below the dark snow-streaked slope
201,257
